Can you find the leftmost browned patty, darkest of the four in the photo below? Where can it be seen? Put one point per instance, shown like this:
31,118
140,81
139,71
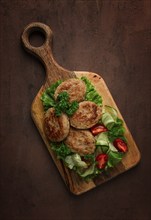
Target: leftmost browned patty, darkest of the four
56,128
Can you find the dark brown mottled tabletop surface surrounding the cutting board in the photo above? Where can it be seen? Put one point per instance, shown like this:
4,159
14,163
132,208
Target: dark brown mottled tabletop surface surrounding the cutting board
111,38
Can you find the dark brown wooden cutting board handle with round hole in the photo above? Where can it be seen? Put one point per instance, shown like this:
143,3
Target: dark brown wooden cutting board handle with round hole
44,52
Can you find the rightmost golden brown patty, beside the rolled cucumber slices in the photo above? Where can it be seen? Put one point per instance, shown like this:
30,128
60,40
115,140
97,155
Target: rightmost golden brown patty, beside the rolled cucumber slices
87,115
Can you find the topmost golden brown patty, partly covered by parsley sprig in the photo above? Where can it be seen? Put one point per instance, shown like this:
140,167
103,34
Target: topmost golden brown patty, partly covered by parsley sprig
74,87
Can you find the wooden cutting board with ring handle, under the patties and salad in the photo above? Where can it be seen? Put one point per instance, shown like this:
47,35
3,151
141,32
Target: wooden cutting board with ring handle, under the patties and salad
53,73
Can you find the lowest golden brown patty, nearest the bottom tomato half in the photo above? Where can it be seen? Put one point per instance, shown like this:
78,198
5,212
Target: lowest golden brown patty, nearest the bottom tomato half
80,141
